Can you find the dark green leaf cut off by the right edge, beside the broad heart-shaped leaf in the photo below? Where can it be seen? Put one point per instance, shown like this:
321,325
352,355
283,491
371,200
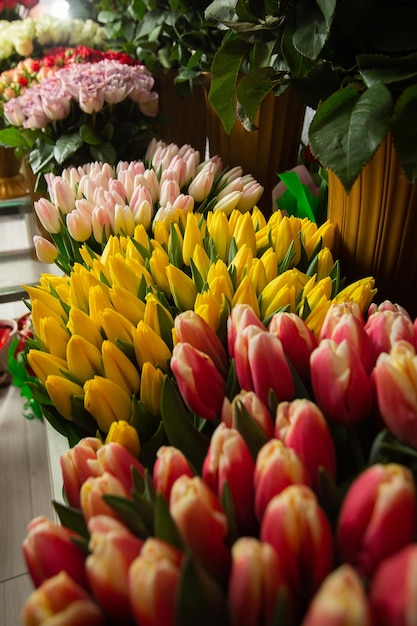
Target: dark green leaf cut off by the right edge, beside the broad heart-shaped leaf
404,131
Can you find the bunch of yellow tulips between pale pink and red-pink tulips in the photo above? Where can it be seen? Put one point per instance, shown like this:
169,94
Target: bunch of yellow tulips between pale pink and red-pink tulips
103,335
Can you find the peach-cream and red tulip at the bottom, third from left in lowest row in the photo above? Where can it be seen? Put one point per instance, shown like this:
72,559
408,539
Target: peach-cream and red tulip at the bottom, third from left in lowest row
153,582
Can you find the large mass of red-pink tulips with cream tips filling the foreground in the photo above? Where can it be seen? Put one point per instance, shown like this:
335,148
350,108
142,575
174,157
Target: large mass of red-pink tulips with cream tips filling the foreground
283,492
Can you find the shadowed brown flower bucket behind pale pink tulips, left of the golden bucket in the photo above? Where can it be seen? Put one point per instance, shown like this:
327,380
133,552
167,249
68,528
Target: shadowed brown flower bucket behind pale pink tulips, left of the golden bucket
265,152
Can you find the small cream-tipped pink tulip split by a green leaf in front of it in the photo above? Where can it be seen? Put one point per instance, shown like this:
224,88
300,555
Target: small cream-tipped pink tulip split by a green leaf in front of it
258,411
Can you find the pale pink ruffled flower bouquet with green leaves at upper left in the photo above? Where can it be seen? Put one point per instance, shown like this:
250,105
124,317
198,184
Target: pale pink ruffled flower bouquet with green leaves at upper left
102,109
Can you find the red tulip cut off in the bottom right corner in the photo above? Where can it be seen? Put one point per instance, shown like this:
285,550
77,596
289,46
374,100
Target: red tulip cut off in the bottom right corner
392,596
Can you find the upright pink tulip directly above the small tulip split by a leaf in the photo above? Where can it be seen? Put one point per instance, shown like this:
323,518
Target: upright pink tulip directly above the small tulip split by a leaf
261,365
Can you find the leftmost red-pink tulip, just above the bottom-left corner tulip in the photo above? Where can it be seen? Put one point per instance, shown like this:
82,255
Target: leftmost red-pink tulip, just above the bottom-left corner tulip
49,549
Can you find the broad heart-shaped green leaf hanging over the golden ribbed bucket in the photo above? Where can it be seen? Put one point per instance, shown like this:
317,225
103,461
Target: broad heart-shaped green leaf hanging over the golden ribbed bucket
348,128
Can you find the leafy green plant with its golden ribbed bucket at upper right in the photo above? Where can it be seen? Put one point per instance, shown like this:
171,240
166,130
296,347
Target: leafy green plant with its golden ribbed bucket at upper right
355,64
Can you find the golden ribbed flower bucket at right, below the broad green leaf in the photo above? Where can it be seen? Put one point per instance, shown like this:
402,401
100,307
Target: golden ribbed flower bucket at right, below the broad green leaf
376,226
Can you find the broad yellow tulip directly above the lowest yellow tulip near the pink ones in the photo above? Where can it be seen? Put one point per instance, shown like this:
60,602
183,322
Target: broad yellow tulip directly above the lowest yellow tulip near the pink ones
106,401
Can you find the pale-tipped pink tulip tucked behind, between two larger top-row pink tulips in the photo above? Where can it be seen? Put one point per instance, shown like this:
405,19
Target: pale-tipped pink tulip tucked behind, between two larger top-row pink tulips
297,340
